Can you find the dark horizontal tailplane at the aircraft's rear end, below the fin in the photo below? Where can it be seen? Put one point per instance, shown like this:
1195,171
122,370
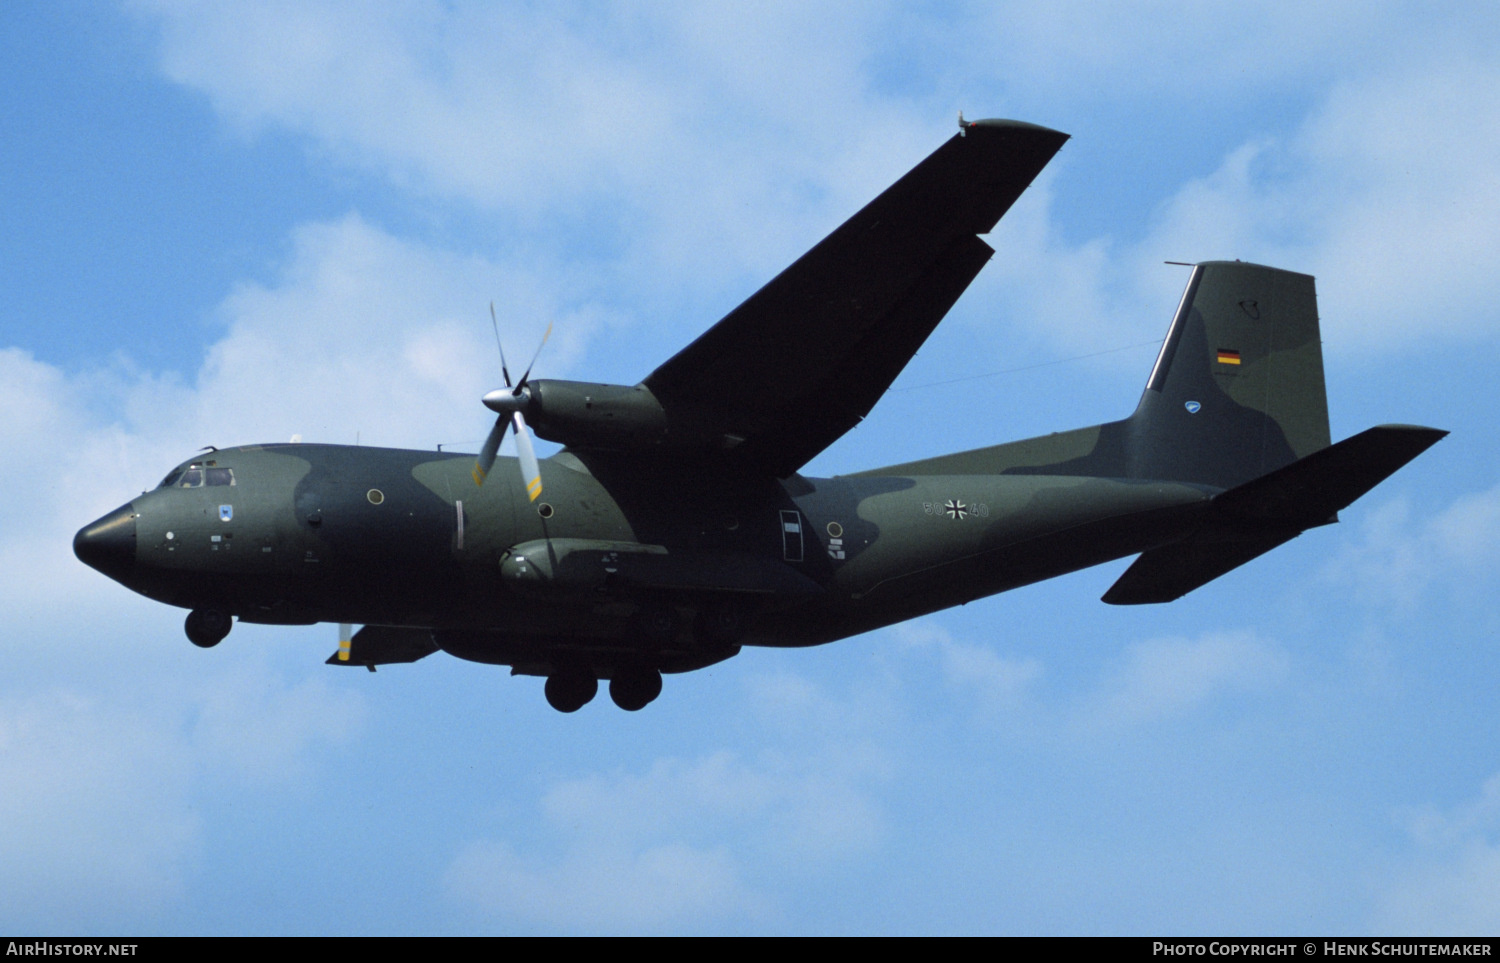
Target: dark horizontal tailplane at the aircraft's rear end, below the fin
1258,517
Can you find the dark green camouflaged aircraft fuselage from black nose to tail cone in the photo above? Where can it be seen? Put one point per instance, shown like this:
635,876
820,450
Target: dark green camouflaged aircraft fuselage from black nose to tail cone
305,533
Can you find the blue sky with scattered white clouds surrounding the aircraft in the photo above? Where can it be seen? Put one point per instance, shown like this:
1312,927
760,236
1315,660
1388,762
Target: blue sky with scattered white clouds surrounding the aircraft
235,224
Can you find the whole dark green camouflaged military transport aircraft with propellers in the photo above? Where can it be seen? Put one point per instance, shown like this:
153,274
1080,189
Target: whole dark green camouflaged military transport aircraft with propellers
674,527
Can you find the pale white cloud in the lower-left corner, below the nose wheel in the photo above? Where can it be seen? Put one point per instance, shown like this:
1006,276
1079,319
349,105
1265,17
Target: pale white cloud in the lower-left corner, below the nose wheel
101,817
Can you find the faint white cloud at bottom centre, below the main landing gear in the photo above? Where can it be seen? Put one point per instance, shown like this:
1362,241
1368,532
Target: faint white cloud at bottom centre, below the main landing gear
692,842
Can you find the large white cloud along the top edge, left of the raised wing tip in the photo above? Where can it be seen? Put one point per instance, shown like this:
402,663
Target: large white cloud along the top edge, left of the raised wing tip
691,140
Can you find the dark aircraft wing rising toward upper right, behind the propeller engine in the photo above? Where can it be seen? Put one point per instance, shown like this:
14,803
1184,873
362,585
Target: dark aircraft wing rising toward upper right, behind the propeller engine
806,358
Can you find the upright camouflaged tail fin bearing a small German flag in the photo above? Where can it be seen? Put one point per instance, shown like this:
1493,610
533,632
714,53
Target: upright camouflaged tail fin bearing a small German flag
1238,388
